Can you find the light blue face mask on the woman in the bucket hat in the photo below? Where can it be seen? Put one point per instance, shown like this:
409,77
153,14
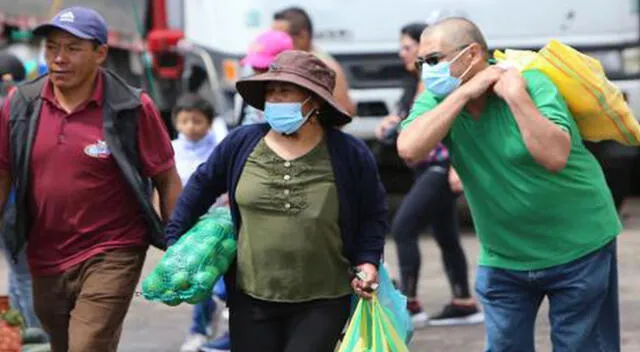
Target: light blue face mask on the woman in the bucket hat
286,118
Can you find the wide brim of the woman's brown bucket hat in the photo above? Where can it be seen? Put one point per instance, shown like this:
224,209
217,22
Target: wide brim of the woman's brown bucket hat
253,90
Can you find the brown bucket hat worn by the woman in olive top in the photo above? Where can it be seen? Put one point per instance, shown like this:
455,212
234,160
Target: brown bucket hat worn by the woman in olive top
302,69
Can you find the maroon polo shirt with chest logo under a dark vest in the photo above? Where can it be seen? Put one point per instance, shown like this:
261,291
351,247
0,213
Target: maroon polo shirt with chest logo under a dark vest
79,201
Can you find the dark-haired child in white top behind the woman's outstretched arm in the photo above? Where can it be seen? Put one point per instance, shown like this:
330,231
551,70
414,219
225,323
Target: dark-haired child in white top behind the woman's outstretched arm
198,134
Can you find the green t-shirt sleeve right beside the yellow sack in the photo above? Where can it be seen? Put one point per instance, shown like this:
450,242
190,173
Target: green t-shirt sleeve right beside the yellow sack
548,100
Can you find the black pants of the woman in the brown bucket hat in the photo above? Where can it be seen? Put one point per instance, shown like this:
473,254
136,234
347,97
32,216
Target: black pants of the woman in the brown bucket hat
315,326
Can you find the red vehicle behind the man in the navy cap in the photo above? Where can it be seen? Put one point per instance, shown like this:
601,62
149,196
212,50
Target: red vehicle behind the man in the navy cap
143,39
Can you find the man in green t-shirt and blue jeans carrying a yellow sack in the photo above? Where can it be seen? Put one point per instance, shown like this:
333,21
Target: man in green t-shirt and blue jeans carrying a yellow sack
542,210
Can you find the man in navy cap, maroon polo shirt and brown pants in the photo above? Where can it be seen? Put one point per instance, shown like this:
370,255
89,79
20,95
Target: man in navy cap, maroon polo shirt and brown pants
87,234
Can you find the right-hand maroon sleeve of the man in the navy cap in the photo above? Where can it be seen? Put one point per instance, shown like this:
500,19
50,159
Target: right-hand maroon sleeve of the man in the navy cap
154,144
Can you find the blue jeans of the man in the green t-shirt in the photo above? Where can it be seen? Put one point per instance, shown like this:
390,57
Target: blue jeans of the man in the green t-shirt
583,298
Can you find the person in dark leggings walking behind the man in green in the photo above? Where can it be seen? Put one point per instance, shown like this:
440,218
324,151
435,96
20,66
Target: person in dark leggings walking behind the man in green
431,201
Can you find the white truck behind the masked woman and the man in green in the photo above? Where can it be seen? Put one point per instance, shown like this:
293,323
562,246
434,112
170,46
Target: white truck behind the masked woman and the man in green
363,36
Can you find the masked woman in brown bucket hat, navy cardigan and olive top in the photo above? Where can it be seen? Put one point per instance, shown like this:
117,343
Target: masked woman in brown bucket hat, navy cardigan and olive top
307,205
